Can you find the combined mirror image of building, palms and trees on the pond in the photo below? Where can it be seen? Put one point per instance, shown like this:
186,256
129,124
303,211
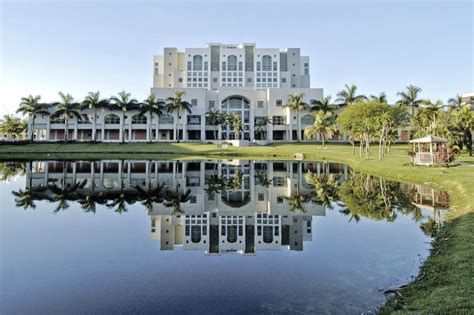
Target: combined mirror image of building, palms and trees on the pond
226,206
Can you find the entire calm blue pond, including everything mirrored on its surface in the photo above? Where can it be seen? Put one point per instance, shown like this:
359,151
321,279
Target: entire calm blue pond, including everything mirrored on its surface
202,236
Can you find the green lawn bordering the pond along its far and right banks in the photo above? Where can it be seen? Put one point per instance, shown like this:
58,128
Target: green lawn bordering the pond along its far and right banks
446,280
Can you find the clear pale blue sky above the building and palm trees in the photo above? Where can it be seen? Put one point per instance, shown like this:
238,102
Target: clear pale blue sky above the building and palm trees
108,46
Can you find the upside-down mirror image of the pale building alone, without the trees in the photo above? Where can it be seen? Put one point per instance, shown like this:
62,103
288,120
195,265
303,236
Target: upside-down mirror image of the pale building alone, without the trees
219,207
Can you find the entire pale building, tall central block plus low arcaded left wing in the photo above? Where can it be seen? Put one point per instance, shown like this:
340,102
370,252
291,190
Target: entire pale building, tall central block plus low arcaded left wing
235,79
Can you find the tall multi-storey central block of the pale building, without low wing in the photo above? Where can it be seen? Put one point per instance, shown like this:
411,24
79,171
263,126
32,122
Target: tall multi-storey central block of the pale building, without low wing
242,79
